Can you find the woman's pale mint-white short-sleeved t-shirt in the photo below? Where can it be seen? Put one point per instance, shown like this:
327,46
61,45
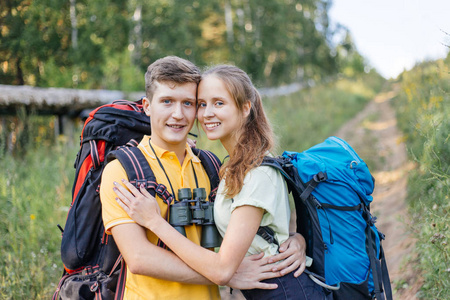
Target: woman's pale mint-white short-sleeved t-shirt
266,188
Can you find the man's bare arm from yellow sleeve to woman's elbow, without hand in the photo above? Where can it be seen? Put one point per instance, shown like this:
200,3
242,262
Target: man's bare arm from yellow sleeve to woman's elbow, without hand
145,258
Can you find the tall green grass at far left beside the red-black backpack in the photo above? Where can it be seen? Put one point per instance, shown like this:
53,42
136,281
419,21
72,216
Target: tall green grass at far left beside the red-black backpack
34,193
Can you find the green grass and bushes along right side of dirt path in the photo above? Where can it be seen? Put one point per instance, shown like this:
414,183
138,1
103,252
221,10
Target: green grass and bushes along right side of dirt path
423,108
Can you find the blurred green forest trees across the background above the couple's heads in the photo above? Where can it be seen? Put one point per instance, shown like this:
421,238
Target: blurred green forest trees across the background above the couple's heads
87,44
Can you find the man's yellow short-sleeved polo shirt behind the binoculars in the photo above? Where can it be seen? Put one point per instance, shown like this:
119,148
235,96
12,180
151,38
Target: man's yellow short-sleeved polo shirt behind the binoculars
181,176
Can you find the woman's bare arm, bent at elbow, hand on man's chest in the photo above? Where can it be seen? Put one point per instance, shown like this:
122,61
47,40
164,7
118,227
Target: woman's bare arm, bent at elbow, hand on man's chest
217,267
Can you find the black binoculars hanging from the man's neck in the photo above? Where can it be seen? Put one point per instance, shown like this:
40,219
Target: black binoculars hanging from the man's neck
190,210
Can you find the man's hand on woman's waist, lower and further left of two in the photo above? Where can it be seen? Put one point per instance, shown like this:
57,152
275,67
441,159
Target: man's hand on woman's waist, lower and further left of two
251,272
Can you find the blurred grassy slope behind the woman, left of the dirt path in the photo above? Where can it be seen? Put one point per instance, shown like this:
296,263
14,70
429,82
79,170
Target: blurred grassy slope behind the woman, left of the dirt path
308,117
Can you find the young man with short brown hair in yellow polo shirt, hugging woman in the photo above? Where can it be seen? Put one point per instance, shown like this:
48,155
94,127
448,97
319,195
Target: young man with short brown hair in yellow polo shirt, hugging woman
154,272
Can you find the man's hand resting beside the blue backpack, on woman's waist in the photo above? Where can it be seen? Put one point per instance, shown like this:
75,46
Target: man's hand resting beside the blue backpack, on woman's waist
293,251
